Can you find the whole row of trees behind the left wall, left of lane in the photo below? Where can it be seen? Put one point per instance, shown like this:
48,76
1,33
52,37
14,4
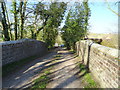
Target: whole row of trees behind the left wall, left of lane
31,20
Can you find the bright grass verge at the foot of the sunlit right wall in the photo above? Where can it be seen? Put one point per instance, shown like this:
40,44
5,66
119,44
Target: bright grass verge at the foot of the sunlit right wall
87,79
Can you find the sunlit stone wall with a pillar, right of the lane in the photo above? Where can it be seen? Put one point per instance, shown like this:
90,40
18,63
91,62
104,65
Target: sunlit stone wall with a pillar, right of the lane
102,61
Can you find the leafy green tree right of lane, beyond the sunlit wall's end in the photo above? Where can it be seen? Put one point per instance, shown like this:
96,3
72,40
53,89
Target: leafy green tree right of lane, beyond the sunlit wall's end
76,24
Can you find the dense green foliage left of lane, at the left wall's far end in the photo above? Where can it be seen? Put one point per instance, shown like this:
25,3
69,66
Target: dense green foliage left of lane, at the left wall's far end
50,31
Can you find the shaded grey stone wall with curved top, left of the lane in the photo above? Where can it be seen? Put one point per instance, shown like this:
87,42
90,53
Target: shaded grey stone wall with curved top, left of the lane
21,49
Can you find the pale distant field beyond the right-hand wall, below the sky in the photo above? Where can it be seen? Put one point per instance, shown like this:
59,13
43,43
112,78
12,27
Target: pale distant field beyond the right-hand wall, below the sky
109,40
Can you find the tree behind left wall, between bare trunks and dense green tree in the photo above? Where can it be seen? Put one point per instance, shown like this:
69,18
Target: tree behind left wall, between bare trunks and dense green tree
39,19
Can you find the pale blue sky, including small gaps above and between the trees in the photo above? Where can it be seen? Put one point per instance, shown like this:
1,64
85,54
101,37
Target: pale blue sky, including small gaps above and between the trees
102,19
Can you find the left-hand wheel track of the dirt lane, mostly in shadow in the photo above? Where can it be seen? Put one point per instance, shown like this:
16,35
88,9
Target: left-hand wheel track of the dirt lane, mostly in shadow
23,77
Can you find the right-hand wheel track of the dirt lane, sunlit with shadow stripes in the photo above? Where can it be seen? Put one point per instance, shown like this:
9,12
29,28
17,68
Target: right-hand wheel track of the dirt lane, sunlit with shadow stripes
64,75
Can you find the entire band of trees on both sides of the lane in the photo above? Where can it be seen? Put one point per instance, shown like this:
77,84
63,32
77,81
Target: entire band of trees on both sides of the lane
41,21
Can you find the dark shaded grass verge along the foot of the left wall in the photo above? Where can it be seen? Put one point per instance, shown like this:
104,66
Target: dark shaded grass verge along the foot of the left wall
8,68
